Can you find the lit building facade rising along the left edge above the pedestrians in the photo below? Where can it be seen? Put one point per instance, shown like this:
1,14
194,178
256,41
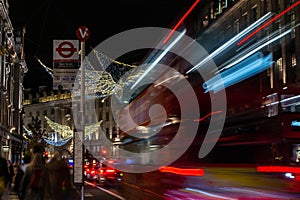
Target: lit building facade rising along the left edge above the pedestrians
12,69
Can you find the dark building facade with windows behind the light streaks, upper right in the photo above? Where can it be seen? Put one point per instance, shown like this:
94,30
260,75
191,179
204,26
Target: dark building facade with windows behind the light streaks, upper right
231,17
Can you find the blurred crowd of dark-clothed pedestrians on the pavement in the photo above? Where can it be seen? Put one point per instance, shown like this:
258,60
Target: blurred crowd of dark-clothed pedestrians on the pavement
38,178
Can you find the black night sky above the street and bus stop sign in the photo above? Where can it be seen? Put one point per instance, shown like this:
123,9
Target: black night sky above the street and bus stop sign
47,20
